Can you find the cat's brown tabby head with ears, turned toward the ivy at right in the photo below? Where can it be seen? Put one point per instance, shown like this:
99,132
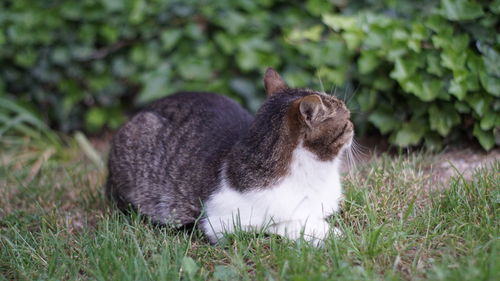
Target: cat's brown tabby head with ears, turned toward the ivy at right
318,121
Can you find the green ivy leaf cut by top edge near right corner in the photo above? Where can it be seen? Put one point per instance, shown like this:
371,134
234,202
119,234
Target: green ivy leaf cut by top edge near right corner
457,10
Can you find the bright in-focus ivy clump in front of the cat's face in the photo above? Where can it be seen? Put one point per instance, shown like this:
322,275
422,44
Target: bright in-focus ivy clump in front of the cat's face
430,78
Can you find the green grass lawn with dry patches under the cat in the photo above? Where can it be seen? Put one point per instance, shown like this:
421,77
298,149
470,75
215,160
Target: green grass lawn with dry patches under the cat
398,223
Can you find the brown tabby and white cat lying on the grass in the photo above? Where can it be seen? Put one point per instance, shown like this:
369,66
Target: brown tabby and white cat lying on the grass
193,155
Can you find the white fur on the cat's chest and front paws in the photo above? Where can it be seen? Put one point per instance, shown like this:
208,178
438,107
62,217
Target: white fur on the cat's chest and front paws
297,205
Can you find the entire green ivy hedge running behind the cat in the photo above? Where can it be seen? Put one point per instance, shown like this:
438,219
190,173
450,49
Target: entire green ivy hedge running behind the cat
421,70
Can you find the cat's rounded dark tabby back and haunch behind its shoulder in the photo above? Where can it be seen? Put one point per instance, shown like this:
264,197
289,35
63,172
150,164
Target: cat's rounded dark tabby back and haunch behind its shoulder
172,150
